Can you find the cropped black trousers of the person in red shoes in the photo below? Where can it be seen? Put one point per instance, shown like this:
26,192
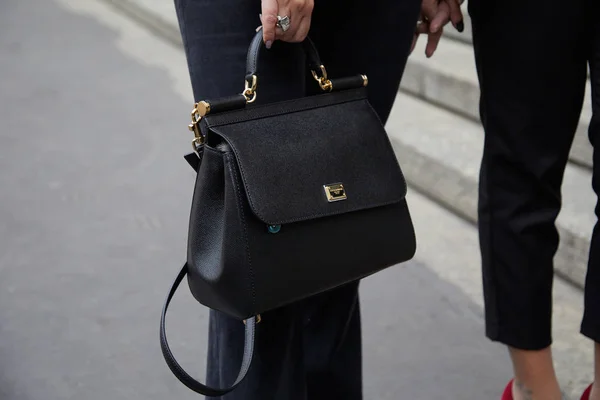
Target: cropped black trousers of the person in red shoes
531,59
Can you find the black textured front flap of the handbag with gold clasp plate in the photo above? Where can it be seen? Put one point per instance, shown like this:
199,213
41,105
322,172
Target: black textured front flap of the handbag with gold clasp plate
308,159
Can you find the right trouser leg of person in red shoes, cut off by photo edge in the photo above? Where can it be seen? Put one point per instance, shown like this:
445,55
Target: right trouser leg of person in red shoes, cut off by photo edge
591,320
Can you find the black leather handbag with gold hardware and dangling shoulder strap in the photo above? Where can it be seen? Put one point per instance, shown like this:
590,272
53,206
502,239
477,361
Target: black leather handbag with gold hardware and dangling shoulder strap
292,199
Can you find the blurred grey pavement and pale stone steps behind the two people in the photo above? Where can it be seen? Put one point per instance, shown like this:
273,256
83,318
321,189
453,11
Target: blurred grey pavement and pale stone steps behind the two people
94,201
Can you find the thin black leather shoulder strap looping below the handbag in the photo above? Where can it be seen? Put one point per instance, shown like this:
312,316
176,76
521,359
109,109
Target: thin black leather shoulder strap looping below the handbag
183,376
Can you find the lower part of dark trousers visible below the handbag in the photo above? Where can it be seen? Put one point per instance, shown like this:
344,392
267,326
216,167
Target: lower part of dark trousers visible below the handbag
310,350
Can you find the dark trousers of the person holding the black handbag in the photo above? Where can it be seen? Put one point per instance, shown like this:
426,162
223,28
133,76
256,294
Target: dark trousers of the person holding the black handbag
310,350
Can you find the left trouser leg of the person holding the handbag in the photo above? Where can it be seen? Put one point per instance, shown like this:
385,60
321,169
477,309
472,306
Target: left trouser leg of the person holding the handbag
216,36
